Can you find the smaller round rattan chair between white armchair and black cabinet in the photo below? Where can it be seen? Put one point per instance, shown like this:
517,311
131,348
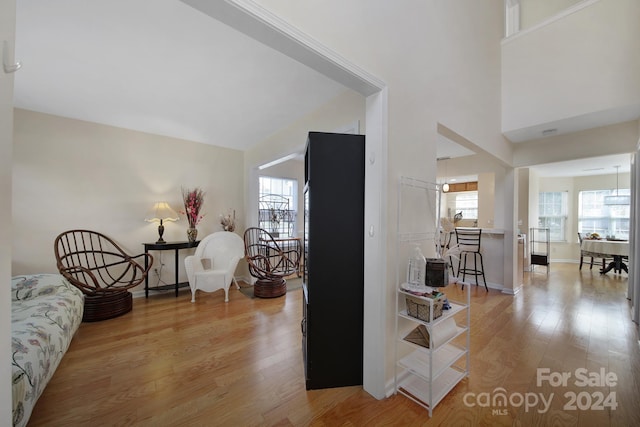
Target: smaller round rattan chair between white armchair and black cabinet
269,263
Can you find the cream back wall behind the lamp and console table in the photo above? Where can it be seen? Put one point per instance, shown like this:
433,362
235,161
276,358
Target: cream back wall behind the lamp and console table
70,174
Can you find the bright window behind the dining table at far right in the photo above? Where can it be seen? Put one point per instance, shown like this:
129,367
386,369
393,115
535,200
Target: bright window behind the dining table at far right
596,217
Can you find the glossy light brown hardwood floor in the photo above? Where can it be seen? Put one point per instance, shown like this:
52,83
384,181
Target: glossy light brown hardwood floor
173,363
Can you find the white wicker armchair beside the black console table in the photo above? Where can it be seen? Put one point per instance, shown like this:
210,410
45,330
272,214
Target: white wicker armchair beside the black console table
214,263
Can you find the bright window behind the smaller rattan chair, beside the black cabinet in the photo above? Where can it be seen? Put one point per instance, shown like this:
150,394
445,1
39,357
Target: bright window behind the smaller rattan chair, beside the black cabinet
277,207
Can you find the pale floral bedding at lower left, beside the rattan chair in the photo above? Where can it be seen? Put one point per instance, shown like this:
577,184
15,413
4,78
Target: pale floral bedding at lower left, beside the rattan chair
46,311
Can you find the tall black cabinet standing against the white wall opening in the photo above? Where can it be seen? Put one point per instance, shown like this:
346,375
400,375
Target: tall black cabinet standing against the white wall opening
333,278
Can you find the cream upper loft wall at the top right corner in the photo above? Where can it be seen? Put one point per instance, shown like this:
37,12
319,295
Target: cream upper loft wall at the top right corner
585,63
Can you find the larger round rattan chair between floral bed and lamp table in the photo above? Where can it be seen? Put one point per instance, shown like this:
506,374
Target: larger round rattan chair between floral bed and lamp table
104,272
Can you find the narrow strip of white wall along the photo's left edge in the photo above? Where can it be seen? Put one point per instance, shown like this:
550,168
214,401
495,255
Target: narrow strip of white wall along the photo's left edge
7,32
